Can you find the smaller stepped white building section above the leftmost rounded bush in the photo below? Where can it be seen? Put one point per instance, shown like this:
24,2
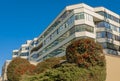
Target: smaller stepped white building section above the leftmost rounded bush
23,52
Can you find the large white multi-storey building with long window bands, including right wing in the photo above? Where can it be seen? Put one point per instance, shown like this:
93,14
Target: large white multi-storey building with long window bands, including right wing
74,22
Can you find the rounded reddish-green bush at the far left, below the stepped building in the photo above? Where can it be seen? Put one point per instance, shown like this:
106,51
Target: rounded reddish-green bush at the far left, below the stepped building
18,67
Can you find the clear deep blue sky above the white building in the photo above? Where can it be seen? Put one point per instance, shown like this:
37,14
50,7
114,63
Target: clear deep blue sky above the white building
21,20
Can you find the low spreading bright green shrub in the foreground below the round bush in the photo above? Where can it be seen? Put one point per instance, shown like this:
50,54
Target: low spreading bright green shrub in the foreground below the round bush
70,72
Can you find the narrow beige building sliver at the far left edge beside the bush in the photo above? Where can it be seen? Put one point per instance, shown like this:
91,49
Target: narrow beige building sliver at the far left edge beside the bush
4,71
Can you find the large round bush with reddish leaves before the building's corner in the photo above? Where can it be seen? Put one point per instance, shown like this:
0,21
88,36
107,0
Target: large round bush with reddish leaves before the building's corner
85,52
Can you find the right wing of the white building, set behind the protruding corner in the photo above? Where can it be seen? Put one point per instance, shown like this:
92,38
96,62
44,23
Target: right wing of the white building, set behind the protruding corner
108,31
